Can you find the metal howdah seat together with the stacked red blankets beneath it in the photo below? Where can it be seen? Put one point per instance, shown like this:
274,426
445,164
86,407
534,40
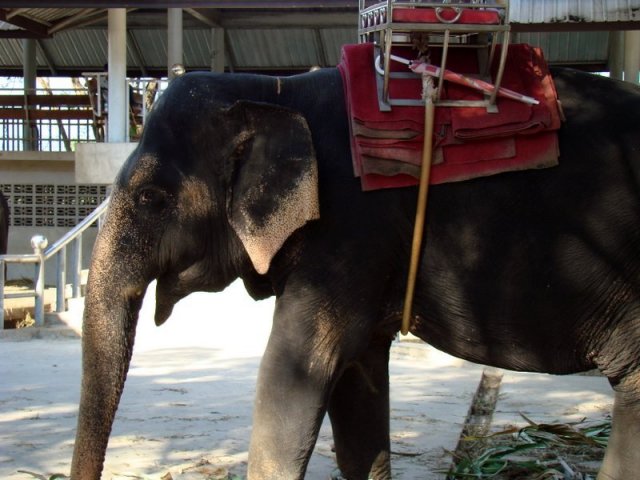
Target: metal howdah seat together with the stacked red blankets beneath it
506,121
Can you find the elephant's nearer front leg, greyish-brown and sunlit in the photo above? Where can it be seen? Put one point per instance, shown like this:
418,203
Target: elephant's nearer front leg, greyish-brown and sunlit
296,375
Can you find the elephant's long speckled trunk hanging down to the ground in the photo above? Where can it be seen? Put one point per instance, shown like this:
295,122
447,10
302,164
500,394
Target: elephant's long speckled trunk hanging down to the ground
109,324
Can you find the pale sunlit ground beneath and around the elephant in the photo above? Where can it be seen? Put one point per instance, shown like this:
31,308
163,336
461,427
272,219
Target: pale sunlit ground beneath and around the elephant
190,390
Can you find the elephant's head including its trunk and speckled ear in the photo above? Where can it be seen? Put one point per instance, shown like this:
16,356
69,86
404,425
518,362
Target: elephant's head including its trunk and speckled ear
211,193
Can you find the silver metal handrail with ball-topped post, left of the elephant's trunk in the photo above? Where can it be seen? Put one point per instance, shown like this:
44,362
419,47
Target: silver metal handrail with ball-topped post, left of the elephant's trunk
41,255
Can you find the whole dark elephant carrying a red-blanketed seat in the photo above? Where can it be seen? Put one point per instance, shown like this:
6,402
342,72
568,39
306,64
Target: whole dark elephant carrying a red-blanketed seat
249,176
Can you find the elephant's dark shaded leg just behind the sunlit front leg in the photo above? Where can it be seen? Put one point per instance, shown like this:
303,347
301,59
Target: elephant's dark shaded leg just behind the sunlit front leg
359,412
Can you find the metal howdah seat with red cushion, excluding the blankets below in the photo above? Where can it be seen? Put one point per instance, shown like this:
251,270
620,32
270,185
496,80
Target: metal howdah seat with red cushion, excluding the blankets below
444,25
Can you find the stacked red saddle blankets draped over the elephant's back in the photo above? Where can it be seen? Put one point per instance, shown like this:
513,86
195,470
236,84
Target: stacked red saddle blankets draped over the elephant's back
468,142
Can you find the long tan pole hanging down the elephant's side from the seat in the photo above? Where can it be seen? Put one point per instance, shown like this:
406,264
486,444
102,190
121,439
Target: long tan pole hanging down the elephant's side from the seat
421,210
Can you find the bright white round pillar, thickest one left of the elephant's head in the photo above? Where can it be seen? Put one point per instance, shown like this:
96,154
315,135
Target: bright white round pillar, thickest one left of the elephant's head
117,101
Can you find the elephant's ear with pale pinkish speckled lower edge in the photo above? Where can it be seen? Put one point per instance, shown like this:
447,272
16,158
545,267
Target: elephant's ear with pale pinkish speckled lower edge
274,184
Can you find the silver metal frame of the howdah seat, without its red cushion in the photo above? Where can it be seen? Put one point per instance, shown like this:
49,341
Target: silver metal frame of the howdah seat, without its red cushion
376,25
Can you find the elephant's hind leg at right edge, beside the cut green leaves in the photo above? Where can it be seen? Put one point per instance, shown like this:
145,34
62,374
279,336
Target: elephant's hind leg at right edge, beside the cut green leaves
622,458
